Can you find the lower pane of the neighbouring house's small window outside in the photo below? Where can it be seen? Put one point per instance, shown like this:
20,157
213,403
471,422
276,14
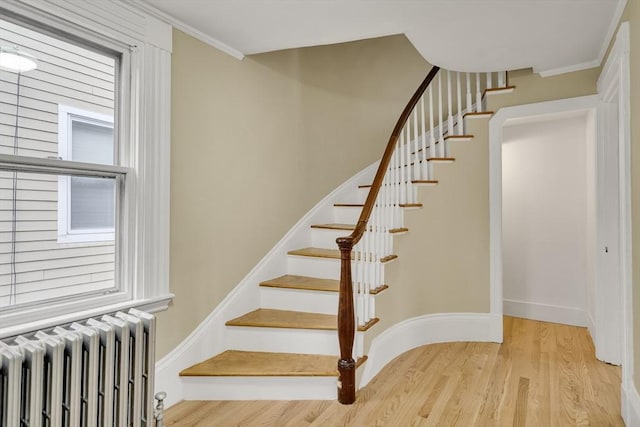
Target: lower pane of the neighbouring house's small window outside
92,203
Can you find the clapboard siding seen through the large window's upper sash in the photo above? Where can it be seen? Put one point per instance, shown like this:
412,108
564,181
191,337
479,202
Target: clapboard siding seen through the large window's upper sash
34,109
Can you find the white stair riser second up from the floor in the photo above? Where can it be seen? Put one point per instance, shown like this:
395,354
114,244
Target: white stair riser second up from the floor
282,340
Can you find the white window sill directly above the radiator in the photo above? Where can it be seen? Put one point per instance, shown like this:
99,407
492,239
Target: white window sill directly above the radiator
150,305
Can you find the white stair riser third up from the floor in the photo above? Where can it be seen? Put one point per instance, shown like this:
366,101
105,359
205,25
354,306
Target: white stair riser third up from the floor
299,300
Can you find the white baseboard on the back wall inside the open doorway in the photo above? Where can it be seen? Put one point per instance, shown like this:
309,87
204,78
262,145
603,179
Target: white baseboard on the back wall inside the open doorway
546,312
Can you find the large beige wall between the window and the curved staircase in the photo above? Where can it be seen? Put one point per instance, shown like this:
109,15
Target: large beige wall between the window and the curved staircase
256,143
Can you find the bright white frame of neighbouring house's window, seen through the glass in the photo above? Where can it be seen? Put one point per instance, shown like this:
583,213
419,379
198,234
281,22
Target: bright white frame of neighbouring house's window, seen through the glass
66,116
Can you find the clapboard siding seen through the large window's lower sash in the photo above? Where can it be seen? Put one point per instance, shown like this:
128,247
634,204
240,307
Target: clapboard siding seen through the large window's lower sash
34,265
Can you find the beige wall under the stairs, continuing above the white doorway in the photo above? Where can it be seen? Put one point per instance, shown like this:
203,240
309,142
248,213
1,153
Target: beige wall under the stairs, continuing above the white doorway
443,263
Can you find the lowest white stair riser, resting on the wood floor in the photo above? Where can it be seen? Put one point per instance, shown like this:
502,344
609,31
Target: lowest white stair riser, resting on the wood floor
260,388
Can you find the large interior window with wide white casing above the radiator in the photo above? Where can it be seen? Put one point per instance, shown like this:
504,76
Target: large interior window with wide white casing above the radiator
84,160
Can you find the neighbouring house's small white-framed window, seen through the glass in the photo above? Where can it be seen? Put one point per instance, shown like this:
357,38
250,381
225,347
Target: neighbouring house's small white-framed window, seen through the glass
86,206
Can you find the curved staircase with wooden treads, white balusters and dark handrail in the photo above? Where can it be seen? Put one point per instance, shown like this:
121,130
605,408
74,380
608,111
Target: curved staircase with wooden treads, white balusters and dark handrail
289,346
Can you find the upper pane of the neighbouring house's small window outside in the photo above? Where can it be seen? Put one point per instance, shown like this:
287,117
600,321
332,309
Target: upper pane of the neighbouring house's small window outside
92,143
